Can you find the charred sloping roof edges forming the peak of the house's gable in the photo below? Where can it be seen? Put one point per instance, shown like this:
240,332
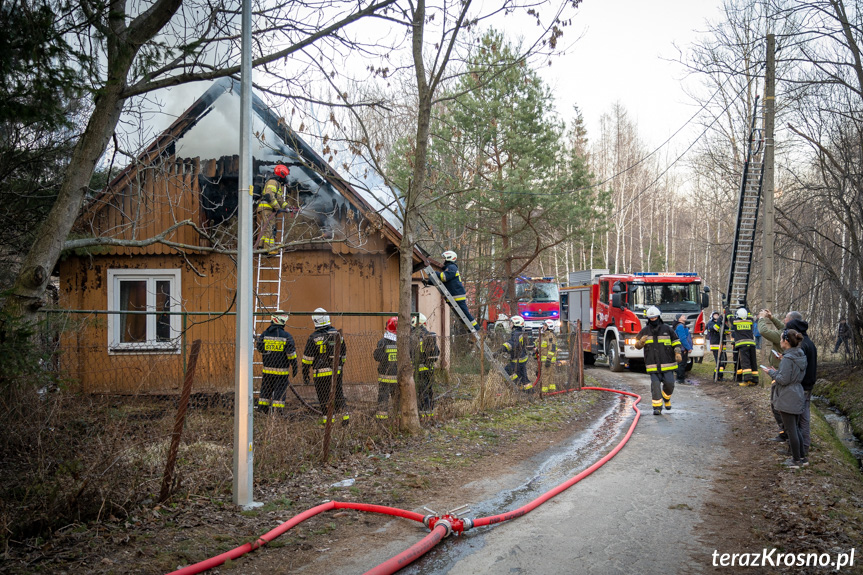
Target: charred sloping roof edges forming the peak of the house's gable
198,110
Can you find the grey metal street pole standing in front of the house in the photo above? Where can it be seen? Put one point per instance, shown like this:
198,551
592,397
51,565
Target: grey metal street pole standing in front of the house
243,484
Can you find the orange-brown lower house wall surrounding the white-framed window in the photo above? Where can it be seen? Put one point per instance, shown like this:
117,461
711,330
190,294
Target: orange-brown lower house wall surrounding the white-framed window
310,279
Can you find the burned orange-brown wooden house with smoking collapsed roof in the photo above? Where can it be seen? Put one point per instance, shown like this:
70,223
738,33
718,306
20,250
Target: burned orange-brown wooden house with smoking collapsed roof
173,279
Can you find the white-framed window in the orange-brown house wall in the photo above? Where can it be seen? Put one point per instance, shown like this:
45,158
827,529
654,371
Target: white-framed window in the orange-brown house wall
154,291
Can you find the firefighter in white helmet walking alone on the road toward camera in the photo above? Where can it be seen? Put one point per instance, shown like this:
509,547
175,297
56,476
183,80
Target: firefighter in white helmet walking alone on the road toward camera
662,354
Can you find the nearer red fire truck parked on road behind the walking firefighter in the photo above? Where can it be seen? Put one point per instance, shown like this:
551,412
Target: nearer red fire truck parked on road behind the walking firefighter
612,310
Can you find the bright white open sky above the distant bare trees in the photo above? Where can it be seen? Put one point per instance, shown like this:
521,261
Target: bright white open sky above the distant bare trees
623,55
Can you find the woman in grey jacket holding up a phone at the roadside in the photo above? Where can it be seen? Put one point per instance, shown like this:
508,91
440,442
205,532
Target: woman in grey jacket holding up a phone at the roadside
786,394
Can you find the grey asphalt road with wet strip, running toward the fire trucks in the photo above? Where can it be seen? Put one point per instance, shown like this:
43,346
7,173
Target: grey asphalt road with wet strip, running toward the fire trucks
637,514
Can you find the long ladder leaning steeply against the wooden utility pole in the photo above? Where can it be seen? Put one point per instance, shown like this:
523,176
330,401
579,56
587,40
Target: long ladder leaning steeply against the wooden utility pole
747,218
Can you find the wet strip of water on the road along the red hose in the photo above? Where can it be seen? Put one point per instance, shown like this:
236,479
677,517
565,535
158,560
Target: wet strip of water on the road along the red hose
557,465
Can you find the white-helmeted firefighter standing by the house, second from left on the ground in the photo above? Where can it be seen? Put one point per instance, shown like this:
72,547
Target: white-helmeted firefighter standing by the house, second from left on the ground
318,359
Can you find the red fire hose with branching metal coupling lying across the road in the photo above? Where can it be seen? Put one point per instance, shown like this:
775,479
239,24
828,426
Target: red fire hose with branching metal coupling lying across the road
441,527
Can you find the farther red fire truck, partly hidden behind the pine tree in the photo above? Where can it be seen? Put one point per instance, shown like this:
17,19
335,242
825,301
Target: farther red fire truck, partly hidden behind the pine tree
538,300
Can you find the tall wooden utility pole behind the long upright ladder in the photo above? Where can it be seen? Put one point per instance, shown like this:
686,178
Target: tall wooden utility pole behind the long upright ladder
768,177
